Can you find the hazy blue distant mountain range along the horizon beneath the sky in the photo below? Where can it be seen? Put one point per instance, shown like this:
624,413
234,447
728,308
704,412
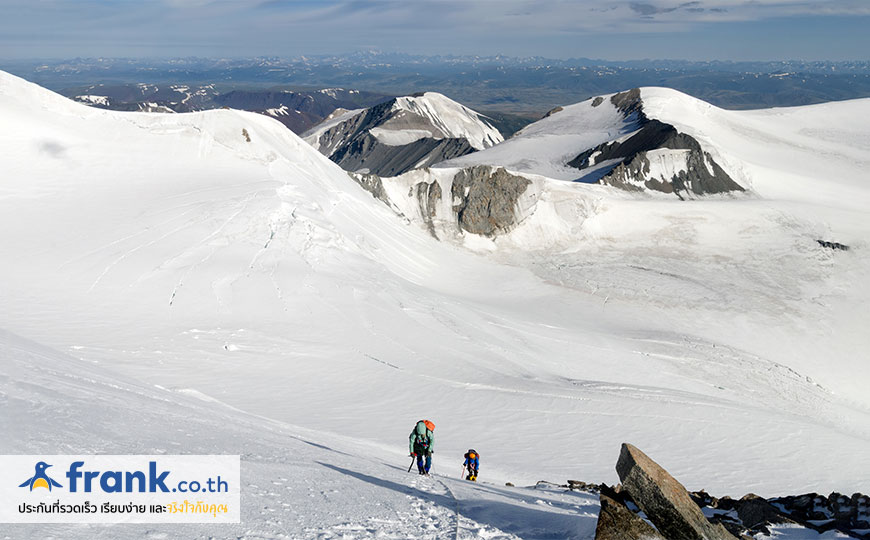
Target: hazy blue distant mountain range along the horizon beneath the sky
525,86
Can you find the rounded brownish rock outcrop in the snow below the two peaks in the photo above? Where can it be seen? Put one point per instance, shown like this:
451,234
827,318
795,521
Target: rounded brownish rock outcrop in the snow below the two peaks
485,201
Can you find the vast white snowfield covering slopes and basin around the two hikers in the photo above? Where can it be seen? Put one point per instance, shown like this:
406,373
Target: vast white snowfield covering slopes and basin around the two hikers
225,296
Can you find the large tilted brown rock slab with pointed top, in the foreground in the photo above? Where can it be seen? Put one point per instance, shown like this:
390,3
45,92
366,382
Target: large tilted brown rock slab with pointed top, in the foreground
663,499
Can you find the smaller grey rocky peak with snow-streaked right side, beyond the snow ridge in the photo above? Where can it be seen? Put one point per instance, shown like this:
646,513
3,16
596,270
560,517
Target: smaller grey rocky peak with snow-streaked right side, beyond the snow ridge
405,133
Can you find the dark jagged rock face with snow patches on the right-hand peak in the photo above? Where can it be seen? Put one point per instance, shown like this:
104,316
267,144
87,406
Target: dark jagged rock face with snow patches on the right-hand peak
656,157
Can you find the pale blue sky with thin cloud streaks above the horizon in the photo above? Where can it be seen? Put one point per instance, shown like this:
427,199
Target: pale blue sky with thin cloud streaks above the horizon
613,30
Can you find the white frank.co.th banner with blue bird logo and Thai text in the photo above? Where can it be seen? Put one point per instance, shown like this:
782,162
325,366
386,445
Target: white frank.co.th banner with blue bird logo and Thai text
120,489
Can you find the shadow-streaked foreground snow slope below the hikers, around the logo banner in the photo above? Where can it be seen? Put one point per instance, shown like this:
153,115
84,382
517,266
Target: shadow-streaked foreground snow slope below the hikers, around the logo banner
296,483
